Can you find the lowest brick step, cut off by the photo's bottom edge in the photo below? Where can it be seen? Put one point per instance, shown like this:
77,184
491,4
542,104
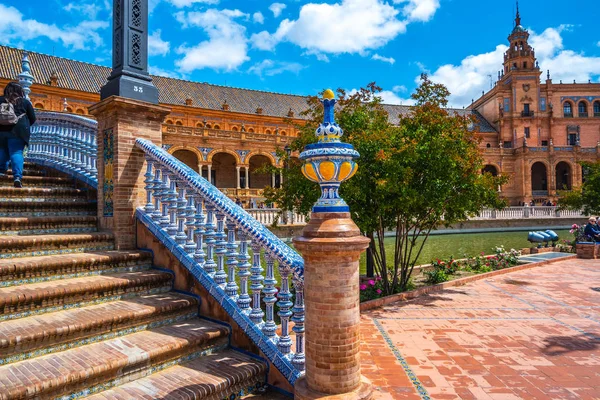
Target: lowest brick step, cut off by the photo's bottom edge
215,376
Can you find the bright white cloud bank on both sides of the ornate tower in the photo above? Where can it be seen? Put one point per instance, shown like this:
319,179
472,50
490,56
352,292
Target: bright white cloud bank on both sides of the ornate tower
467,80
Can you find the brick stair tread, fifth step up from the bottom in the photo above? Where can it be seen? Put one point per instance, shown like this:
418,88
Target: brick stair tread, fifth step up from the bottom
14,268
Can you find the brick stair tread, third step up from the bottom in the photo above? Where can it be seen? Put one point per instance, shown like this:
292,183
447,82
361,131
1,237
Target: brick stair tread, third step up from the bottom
24,334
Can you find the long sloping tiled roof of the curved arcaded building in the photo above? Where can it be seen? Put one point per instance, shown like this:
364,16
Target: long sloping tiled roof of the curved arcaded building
86,77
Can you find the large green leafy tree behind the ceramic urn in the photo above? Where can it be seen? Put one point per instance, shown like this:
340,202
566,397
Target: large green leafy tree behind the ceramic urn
414,176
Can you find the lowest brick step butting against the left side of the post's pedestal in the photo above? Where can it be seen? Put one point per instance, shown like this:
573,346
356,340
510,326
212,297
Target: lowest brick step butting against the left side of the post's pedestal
47,225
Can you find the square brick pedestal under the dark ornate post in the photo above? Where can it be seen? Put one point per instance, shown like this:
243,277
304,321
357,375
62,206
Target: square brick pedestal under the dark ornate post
120,164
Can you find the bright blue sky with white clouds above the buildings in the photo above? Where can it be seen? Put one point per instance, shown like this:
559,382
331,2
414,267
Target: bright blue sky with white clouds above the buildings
301,47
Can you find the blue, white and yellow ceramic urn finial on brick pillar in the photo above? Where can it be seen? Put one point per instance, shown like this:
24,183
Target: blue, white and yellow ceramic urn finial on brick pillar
329,161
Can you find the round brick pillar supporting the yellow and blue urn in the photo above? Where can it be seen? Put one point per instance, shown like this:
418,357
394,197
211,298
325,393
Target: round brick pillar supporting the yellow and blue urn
331,245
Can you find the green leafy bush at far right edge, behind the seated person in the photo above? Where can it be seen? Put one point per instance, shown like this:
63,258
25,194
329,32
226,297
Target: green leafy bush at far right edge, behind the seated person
587,196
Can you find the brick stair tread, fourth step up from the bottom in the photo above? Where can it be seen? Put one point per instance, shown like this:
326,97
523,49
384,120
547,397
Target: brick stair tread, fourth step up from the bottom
43,290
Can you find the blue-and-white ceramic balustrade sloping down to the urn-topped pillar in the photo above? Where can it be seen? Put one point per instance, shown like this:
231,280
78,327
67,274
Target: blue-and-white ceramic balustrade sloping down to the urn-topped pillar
199,224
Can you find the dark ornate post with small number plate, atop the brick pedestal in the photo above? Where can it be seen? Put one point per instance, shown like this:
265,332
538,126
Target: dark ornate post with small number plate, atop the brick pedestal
129,77
